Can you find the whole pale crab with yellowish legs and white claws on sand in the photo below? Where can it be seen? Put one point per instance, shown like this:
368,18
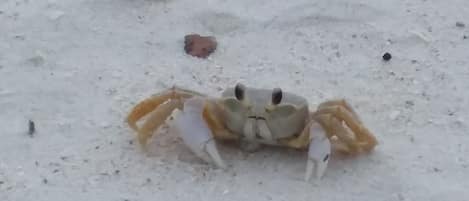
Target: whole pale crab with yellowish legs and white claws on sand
254,117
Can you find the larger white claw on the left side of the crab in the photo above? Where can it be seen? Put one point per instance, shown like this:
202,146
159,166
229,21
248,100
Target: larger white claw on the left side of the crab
192,128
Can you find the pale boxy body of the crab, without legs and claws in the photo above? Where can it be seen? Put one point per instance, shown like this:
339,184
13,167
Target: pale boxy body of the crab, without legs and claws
256,119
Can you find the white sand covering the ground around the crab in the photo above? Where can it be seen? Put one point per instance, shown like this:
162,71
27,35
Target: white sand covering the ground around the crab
76,67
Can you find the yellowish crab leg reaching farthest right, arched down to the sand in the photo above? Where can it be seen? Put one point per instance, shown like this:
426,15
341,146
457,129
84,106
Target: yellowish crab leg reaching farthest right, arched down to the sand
365,139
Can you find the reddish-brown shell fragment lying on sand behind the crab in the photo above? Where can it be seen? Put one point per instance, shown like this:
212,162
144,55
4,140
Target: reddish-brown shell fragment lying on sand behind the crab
199,46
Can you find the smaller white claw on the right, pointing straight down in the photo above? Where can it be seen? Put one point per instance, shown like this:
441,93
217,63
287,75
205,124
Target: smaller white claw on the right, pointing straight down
318,153
